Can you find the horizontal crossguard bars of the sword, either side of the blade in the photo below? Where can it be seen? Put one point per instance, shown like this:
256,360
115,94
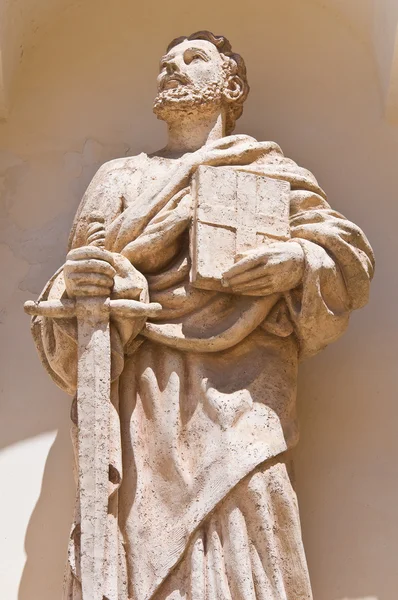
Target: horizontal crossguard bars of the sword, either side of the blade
64,309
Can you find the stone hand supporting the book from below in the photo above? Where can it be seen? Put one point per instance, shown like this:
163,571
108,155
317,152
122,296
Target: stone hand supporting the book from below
272,268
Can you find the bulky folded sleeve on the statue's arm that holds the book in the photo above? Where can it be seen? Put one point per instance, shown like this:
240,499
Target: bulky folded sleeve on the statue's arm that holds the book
339,266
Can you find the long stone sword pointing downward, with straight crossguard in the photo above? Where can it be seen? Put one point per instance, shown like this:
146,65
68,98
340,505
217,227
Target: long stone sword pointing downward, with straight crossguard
93,409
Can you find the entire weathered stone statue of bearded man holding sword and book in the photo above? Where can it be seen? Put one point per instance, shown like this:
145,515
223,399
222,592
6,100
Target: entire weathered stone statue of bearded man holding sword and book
196,279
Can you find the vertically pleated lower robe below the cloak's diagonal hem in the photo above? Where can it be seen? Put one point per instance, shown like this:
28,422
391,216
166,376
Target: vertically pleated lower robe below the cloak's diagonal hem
236,553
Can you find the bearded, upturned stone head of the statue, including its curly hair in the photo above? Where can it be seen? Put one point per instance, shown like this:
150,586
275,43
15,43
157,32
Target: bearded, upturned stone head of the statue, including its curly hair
200,73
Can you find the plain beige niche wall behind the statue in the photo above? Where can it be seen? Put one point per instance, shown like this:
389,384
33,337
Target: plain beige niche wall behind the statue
83,96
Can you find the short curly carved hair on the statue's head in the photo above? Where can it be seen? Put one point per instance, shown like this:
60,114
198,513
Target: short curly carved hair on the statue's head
234,65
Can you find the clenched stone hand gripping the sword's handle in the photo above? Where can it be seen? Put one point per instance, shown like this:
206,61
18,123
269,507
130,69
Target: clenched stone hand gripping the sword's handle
89,271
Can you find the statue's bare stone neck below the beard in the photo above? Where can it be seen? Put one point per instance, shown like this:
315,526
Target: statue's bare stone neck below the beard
189,132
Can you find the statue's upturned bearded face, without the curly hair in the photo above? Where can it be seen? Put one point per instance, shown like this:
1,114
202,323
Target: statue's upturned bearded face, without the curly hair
191,74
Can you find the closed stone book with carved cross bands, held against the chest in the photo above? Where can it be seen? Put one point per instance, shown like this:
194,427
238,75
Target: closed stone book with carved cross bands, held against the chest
234,211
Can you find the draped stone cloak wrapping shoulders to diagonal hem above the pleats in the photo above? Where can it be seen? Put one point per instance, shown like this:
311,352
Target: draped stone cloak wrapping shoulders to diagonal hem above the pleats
204,394
